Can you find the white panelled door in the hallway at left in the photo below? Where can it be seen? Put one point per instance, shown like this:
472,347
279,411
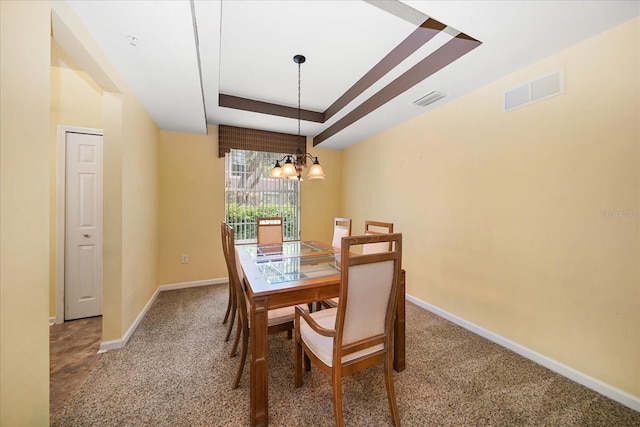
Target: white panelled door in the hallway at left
83,228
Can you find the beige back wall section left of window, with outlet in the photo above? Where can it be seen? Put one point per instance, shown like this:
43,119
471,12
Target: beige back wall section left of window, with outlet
191,207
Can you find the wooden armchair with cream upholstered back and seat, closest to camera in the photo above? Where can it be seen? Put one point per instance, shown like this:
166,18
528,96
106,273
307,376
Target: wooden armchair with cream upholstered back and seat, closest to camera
357,334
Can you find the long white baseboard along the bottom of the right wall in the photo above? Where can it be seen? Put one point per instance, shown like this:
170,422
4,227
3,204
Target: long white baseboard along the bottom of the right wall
594,384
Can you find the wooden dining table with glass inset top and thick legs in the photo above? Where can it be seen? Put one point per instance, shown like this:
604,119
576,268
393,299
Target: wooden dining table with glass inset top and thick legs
288,274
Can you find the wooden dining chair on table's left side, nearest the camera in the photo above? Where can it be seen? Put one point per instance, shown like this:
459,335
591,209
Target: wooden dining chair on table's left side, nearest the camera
279,320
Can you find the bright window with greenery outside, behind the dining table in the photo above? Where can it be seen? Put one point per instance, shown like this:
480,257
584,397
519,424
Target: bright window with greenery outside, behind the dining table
250,193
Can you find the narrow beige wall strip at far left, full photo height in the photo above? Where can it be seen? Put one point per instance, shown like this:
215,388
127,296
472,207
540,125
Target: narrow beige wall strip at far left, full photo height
24,213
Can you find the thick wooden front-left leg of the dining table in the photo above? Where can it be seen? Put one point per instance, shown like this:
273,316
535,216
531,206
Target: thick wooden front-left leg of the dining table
259,371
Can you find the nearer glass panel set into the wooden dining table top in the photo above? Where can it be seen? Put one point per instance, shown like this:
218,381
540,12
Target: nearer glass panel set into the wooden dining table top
278,270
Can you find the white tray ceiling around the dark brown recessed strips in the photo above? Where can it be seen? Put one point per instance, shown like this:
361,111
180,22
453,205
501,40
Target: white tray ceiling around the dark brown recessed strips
189,52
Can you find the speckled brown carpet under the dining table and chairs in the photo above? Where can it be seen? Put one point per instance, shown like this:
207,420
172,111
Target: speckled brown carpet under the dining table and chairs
176,371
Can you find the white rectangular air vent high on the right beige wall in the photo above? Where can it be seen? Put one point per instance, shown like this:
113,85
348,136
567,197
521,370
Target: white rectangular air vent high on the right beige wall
534,90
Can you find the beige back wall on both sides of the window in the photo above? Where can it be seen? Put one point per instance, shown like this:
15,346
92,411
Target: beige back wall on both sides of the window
192,205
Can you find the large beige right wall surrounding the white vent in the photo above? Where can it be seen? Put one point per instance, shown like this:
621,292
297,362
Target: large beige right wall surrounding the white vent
504,215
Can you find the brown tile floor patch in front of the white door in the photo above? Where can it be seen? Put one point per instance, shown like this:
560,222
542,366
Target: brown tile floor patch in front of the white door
73,351
